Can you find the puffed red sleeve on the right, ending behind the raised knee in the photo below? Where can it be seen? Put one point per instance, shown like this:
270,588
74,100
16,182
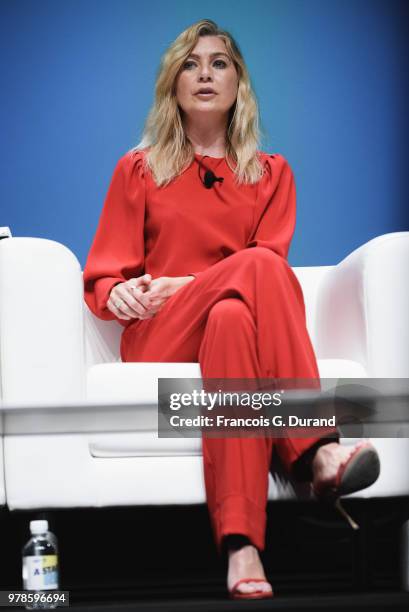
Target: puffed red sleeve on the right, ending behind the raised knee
274,220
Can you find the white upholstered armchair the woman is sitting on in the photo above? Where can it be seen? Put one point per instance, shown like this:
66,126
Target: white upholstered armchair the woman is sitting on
356,316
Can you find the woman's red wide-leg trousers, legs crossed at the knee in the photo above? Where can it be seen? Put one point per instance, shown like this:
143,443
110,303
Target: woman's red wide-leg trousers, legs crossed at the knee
243,317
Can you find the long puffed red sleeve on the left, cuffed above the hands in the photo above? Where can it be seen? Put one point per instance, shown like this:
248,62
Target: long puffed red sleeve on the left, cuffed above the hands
117,251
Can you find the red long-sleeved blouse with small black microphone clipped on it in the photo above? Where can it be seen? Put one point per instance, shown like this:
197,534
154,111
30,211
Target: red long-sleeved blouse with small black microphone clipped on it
184,228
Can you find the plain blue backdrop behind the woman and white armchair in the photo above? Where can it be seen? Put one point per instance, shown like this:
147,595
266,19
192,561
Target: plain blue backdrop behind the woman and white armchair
330,76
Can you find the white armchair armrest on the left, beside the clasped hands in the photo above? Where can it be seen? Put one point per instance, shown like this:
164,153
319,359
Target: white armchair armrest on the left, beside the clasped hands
41,322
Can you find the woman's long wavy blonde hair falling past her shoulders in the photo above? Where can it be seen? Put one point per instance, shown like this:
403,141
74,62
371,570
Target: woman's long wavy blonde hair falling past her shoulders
169,151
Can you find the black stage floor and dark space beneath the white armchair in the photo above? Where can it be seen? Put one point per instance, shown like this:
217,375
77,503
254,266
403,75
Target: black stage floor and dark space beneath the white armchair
164,558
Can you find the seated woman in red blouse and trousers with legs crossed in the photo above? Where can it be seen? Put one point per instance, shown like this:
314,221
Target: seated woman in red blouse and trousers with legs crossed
190,256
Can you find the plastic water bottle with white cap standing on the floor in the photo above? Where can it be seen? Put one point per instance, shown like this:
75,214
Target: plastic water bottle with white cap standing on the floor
40,564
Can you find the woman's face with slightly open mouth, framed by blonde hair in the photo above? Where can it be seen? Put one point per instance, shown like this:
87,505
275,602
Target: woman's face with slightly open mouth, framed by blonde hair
207,67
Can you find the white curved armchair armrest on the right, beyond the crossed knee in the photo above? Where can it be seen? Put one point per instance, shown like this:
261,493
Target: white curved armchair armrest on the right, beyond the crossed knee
363,306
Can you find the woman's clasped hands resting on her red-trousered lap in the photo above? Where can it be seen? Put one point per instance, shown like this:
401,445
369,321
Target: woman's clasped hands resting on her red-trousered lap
143,297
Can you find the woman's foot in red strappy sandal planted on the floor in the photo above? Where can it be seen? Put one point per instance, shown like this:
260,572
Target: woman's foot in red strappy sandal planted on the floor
244,562
